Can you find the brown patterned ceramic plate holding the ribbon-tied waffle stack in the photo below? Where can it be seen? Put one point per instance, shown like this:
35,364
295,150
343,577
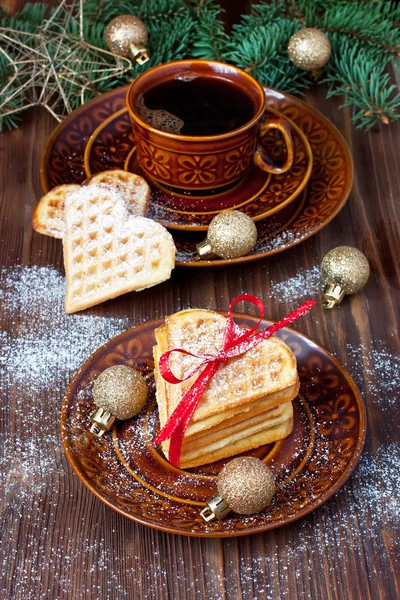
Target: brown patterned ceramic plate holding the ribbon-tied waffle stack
131,476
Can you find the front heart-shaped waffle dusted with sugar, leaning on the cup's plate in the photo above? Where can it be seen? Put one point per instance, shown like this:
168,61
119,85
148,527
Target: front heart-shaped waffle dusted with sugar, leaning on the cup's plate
107,251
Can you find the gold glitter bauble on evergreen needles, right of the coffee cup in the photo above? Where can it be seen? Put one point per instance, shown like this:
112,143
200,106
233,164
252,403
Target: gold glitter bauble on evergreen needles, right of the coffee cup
309,49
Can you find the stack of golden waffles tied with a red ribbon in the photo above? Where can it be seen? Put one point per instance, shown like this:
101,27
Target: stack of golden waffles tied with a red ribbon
248,402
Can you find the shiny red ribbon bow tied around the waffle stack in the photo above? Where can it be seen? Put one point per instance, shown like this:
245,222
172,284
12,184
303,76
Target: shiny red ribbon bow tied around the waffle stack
235,343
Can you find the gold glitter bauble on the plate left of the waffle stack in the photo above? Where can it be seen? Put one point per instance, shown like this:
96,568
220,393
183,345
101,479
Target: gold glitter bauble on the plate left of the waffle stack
119,392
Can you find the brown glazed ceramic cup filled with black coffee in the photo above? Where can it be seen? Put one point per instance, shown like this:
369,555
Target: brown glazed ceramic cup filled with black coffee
199,125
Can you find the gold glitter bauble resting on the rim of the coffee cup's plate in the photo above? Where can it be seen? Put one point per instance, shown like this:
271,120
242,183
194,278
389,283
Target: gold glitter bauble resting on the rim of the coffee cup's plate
230,234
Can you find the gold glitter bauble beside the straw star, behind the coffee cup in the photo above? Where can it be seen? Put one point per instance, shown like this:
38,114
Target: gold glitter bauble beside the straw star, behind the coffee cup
127,36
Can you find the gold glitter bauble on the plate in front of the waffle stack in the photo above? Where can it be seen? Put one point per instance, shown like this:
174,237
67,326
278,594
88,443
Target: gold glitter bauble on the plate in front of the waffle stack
245,485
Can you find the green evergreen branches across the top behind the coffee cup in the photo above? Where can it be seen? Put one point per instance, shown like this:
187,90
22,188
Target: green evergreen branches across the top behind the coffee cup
364,36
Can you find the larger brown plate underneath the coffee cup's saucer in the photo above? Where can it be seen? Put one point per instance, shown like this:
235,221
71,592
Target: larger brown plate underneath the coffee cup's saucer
328,189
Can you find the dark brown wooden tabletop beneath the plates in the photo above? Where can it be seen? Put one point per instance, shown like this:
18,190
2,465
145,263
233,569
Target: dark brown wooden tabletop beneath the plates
59,541
